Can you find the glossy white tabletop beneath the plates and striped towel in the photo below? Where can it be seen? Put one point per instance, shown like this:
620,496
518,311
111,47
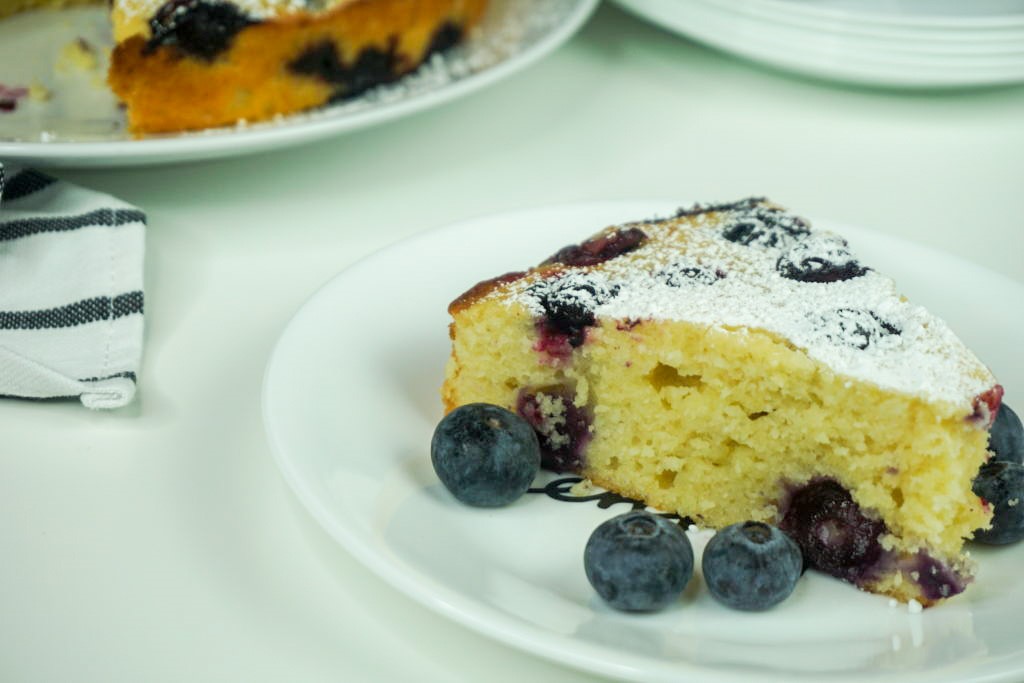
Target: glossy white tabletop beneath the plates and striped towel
159,543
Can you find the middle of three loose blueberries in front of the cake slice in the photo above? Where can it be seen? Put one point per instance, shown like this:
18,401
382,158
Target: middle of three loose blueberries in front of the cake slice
638,562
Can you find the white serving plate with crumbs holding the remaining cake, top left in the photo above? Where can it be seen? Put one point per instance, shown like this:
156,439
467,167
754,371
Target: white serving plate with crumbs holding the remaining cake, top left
81,125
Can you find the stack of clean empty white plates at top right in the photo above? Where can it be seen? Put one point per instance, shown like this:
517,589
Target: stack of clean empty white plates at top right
919,44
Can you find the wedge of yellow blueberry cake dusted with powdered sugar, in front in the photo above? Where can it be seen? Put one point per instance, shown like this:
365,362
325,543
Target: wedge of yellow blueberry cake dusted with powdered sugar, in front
732,363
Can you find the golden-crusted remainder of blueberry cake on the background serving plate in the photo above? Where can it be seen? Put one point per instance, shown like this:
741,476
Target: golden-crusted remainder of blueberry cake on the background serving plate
190,65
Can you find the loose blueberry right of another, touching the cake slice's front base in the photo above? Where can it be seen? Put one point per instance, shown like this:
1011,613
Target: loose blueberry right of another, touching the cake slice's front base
751,566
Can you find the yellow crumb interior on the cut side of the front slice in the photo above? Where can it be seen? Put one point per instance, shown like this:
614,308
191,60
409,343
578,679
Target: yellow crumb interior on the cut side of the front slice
712,424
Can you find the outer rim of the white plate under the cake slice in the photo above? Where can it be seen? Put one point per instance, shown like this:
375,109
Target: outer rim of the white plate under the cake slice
493,623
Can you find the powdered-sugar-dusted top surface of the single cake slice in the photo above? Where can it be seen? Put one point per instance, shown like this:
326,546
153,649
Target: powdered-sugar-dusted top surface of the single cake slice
753,266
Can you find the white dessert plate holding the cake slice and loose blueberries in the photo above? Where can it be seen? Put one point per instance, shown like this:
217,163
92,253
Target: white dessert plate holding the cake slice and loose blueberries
351,400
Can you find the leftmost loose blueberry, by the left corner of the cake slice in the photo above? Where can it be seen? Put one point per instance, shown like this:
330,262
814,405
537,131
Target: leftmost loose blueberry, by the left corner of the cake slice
485,455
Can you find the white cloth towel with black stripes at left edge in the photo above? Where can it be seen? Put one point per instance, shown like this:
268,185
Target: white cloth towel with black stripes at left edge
71,291
